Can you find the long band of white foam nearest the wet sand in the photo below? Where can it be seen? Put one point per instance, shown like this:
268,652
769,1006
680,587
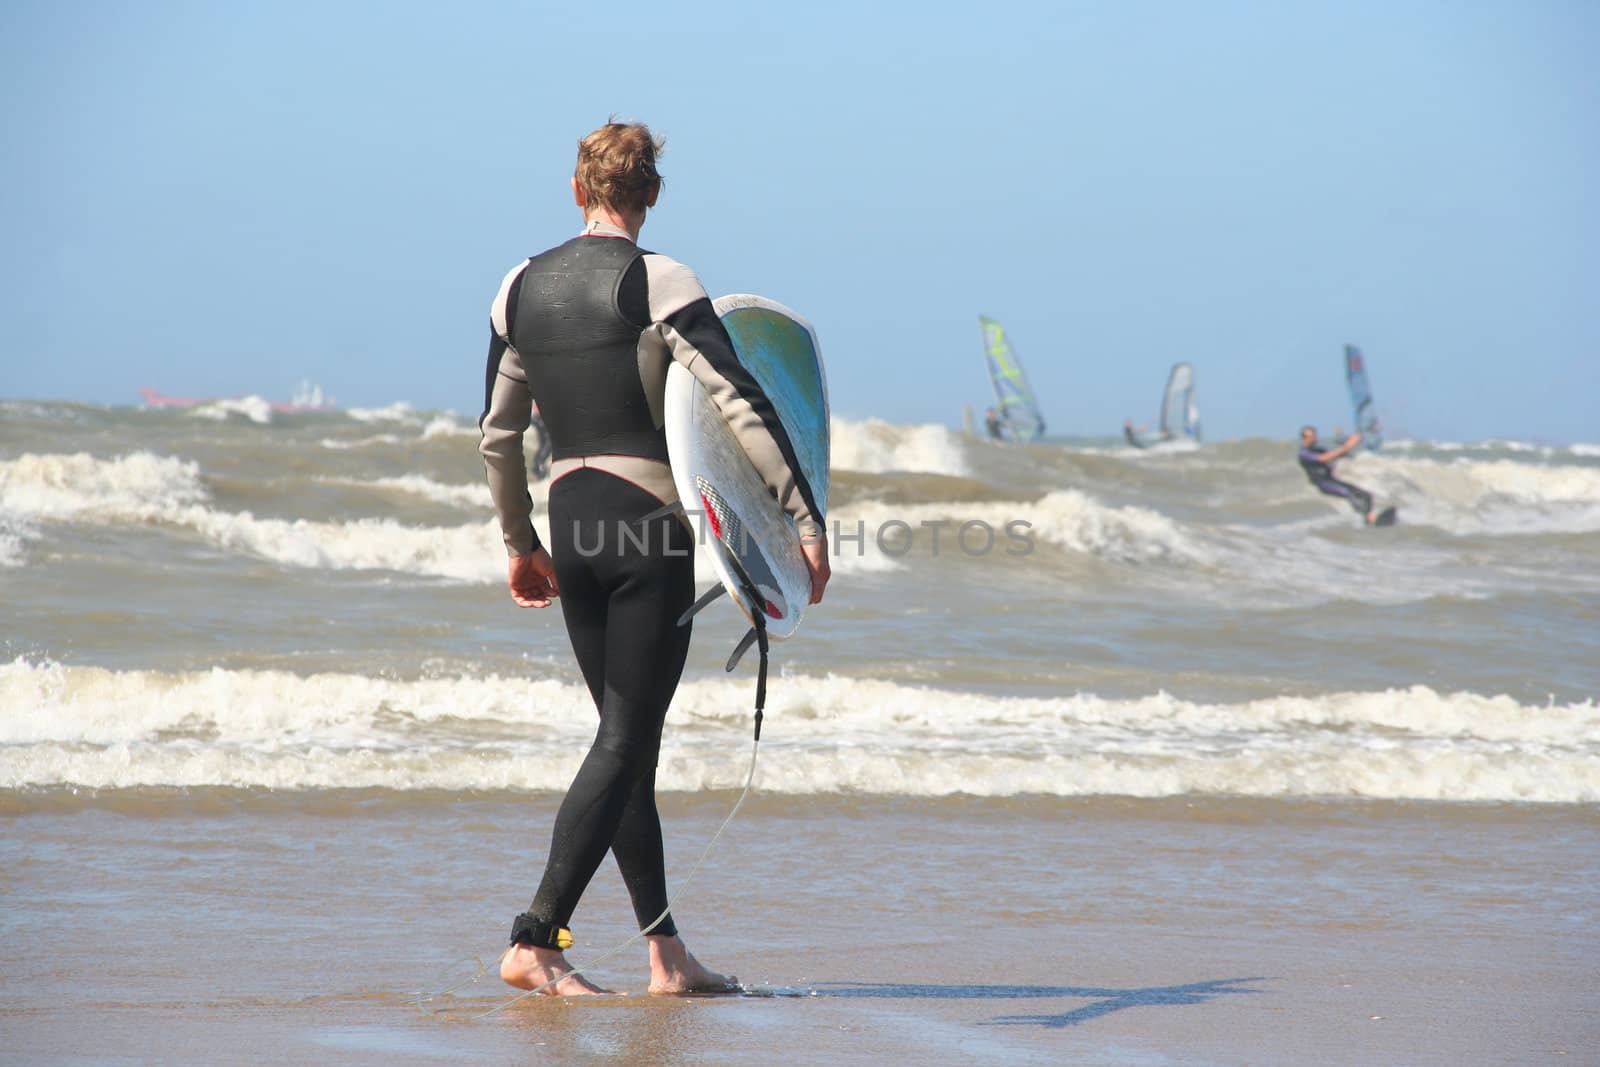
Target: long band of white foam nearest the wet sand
95,729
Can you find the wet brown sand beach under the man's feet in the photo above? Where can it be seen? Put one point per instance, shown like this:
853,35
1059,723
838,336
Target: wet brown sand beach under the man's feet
228,929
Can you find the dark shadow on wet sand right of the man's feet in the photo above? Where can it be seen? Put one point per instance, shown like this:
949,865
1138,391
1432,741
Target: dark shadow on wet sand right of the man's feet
1105,1001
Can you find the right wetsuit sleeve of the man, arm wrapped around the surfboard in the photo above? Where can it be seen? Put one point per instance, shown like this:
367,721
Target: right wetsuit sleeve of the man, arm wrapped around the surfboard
684,319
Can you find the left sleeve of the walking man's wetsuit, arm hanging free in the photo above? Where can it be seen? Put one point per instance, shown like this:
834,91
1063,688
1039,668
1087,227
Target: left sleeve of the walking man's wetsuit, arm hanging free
508,412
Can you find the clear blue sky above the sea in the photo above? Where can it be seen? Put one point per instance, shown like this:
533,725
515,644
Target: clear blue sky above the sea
217,199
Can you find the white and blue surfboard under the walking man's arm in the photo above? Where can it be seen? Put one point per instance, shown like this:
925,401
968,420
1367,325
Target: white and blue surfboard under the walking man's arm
751,541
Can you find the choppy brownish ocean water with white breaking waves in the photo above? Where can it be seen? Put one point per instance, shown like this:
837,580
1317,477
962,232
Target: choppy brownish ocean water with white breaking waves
236,599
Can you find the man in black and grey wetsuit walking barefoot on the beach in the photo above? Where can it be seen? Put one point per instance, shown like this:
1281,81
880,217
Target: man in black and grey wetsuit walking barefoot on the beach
586,332
